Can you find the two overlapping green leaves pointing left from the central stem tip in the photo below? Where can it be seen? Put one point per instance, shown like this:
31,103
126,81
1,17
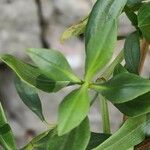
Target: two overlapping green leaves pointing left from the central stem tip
57,75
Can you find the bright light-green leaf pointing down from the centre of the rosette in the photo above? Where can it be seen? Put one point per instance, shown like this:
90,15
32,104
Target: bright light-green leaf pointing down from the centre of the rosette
73,109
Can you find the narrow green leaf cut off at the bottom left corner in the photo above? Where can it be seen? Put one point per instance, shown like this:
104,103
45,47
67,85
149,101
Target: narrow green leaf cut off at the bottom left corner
6,135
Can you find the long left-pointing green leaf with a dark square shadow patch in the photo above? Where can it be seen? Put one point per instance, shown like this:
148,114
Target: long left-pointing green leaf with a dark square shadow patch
32,75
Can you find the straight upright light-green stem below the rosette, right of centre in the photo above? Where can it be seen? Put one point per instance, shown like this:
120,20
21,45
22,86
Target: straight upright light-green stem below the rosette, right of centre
105,115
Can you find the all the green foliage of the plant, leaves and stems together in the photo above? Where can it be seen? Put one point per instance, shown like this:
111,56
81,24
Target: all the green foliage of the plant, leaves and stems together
121,85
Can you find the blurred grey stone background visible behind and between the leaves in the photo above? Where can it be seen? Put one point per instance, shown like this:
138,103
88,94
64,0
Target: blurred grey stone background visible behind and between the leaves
40,23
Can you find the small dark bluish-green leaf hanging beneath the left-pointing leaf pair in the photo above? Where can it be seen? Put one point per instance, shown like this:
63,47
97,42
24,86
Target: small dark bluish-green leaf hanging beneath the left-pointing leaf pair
29,97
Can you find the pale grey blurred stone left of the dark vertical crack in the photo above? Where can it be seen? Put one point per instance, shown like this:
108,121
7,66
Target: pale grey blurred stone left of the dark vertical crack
19,27
